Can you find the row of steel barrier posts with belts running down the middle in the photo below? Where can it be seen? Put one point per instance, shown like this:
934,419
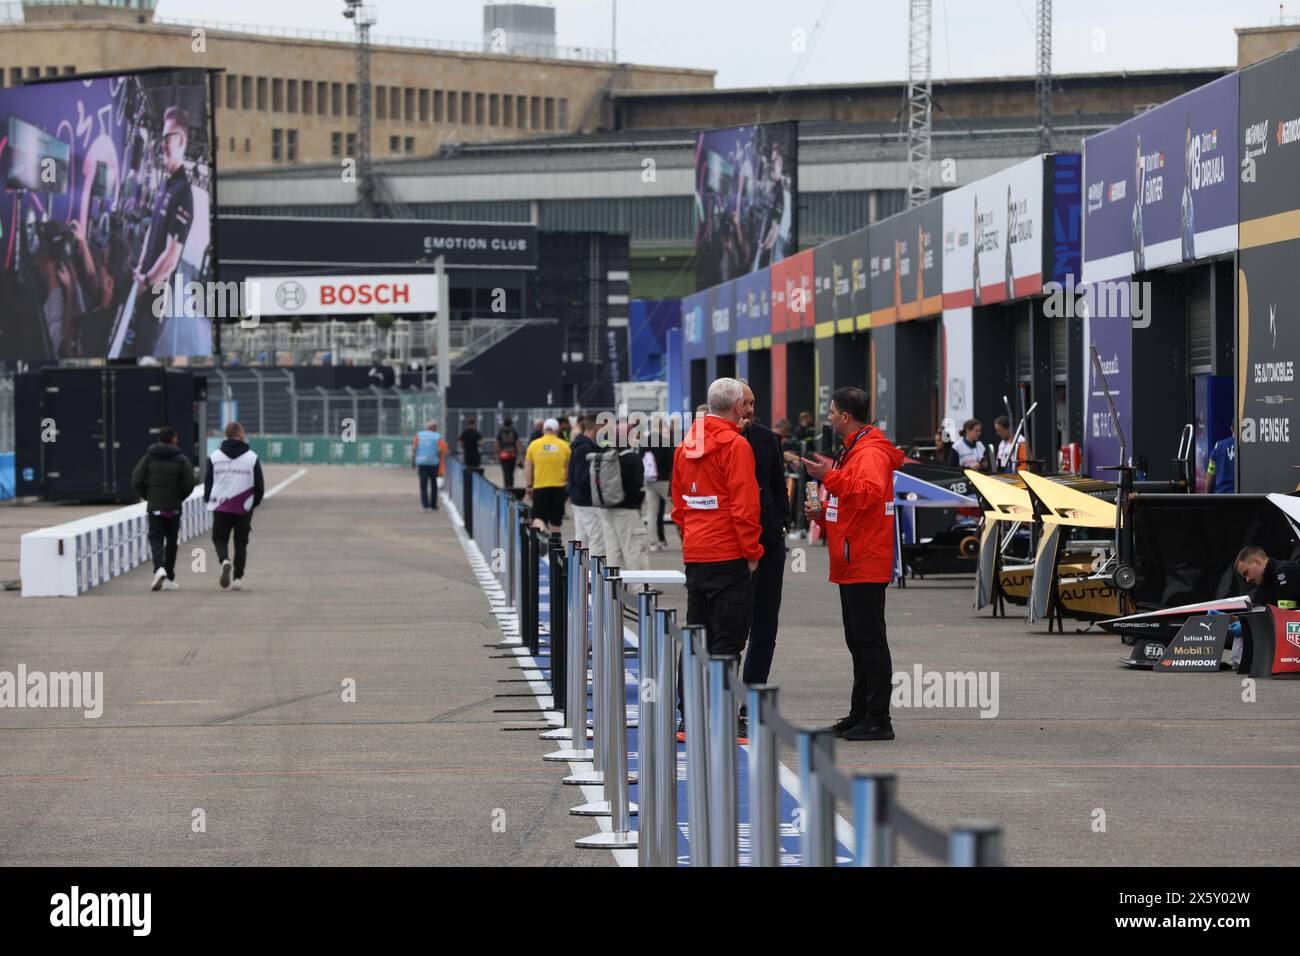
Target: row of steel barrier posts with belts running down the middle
588,607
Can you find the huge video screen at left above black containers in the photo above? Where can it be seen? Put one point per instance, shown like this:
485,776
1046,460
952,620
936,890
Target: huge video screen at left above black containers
106,204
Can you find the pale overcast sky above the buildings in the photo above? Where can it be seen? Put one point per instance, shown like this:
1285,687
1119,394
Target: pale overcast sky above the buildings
751,42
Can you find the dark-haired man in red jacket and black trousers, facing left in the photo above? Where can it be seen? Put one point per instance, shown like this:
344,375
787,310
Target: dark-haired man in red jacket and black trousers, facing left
859,522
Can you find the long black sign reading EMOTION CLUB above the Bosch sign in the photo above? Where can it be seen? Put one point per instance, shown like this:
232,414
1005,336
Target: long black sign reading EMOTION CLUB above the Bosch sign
267,244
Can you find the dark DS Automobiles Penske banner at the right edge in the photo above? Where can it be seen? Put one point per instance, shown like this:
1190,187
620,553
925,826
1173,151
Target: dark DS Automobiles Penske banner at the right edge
1268,353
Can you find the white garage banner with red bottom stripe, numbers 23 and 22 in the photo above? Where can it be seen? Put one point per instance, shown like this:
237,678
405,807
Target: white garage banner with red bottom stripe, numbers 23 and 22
994,239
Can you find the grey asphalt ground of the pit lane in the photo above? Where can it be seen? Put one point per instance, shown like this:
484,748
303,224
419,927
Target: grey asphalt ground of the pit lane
232,703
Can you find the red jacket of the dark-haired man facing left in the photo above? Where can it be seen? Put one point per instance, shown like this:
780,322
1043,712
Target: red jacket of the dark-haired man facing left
859,514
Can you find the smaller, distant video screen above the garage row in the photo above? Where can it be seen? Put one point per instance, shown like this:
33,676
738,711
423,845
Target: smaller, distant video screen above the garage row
747,200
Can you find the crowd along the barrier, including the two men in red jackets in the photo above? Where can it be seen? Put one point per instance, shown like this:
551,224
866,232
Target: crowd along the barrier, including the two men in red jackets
725,487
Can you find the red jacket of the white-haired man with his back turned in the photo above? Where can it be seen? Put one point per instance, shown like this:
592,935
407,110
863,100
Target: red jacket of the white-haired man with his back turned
716,495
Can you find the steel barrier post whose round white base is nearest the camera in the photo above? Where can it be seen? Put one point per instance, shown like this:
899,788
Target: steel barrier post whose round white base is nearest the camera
614,691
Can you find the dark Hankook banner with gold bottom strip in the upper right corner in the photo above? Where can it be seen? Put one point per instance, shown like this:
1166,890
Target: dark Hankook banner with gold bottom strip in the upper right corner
1269,141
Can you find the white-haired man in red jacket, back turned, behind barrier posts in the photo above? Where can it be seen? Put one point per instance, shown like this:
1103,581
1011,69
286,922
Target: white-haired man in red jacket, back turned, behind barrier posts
717,508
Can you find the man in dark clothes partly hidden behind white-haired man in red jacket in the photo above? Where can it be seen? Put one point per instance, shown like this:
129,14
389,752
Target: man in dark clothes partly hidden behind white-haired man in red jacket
774,518
